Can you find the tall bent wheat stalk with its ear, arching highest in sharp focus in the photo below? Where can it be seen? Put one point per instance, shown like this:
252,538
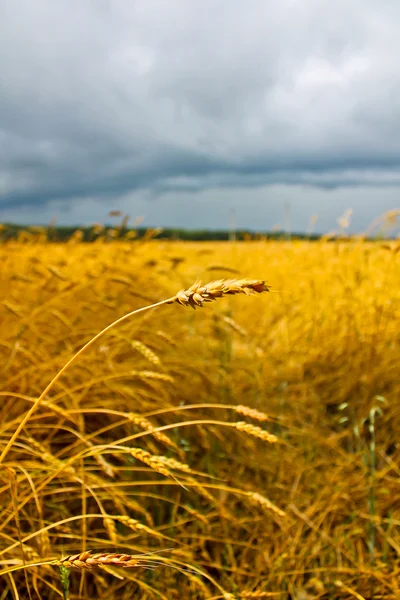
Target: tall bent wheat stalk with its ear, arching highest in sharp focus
195,296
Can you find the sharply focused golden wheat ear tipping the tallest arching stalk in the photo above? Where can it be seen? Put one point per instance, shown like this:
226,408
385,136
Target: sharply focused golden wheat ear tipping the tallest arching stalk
198,293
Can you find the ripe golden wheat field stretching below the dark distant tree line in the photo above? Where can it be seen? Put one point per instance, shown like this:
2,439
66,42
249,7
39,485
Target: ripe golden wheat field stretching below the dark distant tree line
146,447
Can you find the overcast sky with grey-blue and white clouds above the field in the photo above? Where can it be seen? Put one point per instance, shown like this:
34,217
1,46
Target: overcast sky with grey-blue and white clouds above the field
182,110
